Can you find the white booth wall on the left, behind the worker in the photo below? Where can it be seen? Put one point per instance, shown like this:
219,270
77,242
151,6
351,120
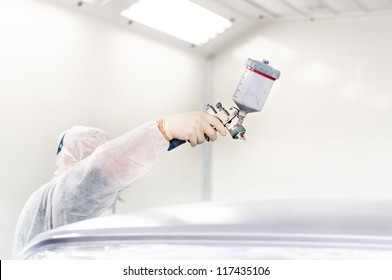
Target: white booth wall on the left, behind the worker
59,68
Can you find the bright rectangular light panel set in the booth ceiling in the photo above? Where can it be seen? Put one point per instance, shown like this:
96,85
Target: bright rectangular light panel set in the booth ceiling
179,18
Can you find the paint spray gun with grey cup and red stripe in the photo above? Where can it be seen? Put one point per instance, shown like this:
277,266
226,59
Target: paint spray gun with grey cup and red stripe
250,96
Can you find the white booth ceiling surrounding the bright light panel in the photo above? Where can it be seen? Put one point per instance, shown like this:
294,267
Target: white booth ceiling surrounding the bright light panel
243,14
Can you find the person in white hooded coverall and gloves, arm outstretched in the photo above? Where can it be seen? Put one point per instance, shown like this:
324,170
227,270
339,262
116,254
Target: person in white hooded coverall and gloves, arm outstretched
91,170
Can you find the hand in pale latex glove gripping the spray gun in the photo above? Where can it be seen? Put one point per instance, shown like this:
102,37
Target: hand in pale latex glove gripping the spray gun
193,127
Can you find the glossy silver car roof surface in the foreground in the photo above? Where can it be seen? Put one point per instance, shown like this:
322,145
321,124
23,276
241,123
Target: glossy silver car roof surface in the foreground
256,229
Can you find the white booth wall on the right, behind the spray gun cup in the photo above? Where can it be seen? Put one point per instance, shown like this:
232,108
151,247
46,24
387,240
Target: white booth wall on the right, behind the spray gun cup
326,129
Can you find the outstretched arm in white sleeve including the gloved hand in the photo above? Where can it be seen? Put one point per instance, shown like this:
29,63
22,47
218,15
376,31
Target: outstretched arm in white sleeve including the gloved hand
92,185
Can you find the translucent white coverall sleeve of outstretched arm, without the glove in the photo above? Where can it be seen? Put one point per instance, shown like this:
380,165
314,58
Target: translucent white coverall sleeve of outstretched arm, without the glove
92,185
